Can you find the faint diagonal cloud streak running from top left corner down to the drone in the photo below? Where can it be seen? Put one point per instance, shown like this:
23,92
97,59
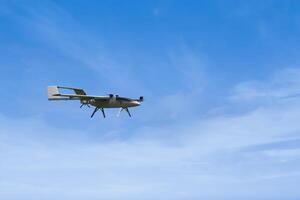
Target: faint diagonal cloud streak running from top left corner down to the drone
54,27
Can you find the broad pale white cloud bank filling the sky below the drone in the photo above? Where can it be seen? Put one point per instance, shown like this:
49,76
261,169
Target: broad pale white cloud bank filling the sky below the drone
216,158
